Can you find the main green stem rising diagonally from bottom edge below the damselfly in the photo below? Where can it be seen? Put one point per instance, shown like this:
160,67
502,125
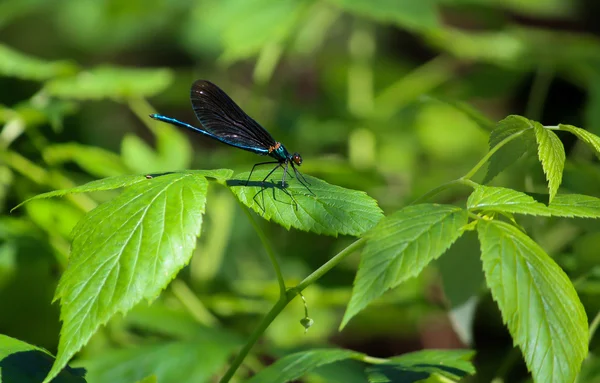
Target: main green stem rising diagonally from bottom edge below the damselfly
283,301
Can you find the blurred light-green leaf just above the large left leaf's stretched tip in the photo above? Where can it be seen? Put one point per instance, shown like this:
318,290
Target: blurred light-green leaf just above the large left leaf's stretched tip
96,161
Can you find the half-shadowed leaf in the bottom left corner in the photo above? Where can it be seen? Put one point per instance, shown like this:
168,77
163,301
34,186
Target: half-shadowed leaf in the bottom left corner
25,363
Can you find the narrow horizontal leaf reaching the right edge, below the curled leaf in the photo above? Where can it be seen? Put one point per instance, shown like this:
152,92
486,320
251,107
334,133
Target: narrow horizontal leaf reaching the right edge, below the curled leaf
503,200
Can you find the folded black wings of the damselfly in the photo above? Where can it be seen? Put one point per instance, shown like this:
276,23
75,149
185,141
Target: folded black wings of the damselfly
223,119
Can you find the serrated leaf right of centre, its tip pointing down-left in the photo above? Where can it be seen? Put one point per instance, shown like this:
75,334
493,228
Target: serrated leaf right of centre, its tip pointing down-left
400,247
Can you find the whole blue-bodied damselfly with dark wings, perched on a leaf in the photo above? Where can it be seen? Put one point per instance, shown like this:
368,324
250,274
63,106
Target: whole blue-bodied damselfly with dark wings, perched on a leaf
223,120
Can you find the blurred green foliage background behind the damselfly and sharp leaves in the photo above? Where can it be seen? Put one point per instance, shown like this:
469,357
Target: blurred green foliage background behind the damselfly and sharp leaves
393,97
